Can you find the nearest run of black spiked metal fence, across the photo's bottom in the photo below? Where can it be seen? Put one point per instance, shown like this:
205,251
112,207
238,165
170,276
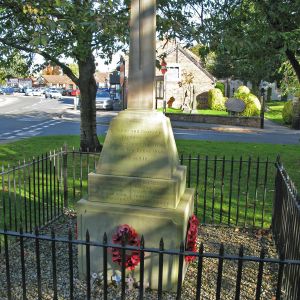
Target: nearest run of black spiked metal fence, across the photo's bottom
41,275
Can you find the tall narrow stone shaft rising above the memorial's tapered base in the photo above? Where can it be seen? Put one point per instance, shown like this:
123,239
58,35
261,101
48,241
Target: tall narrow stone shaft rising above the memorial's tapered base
142,55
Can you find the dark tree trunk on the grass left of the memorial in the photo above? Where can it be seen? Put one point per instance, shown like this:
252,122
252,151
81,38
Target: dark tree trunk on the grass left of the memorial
88,90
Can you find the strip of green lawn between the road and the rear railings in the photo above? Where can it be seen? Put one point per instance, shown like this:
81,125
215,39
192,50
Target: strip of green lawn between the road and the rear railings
11,153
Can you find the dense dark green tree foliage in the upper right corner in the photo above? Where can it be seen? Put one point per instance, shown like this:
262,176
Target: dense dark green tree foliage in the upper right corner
251,38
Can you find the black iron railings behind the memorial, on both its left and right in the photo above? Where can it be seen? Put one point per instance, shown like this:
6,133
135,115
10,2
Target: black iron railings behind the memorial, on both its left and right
235,192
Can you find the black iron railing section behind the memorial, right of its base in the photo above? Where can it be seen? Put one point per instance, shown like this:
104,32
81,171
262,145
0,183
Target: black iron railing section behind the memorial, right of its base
237,192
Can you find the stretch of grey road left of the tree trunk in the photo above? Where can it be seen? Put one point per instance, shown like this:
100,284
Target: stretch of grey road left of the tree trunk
22,117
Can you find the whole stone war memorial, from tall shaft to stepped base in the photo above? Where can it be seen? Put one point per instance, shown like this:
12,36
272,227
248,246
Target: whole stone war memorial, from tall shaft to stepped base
138,180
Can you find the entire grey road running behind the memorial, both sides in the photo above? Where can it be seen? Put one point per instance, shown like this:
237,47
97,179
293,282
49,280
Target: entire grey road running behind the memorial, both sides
22,117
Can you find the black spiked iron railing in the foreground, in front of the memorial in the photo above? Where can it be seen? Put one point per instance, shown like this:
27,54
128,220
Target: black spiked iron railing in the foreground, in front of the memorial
73,283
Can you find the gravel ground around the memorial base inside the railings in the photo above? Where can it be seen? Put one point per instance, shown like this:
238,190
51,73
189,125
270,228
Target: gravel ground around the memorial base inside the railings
211,236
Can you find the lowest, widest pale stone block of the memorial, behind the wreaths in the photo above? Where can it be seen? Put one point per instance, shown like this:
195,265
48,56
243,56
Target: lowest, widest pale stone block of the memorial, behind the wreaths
152,223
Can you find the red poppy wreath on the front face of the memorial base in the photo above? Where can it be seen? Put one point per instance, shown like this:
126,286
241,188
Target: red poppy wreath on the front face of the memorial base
130,237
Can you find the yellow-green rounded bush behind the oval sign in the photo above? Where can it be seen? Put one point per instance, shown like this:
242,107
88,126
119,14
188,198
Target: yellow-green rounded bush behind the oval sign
253,106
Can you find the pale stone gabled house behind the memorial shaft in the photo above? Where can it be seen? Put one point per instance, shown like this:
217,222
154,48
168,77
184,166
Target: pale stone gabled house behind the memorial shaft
185,80
